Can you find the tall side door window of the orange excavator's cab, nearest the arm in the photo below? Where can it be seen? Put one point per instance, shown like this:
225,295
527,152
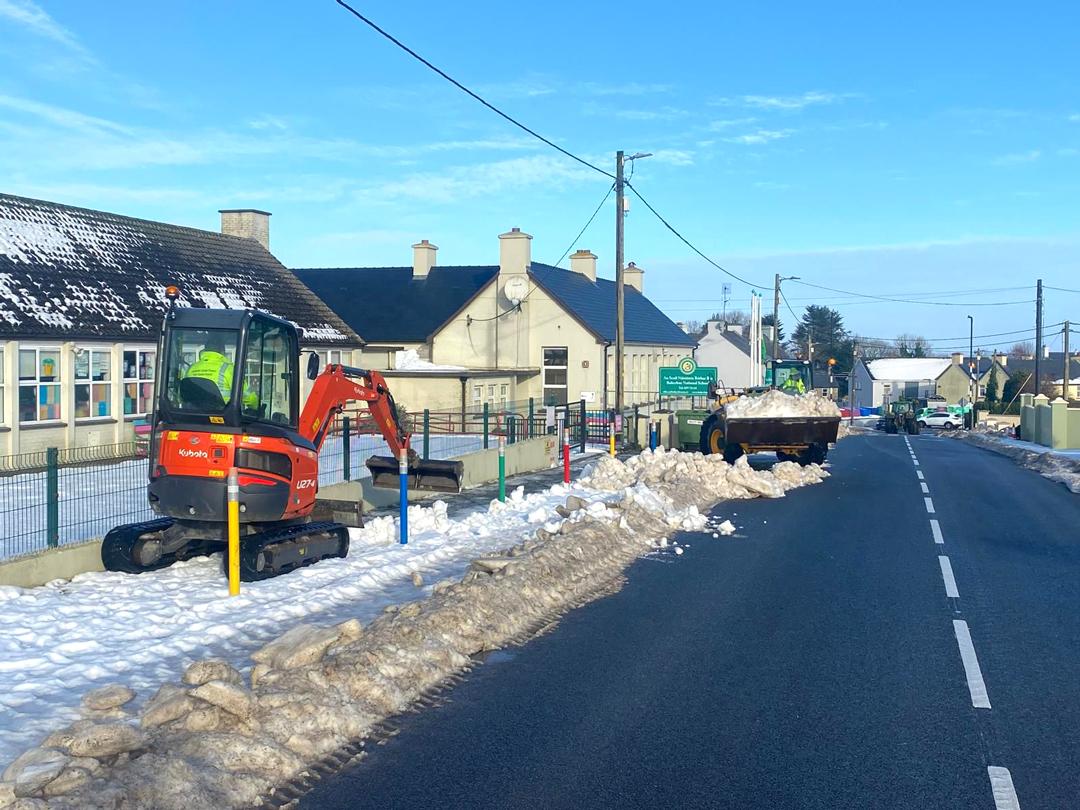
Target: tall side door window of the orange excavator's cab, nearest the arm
268,374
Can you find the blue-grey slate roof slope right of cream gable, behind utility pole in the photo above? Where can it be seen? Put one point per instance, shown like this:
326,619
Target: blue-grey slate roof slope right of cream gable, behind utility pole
593,305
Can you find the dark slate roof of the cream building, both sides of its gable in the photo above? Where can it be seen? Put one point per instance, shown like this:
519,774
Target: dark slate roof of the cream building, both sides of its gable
387,304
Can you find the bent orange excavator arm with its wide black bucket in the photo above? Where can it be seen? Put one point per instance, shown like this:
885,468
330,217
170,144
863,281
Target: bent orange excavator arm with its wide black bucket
335,388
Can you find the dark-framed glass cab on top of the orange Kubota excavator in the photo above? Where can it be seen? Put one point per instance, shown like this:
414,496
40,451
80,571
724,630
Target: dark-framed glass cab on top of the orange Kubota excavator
233,369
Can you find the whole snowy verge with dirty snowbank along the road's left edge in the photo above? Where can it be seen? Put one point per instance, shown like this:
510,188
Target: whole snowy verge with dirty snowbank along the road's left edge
213,742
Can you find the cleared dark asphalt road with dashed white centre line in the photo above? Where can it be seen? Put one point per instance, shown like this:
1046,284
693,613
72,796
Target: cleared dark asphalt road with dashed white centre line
812,661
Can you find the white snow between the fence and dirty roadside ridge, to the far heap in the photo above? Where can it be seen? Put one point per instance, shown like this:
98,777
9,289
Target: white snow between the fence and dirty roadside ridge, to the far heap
60,641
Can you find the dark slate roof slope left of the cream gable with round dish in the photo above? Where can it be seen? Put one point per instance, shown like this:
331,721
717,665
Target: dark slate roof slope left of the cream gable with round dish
387,304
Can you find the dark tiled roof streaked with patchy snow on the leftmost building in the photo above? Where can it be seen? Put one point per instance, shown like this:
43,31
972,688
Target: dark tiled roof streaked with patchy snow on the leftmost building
82,274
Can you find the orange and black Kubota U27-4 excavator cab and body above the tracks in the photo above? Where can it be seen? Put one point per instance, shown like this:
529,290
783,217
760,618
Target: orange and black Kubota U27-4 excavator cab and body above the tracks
228,396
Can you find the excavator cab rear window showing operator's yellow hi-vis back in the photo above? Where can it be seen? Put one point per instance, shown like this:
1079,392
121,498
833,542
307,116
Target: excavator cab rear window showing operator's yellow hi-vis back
199,370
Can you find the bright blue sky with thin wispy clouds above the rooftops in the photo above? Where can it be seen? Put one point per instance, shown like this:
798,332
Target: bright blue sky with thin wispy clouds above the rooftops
921,150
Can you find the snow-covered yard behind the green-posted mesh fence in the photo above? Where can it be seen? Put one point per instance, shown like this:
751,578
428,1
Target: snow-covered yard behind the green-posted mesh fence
94,498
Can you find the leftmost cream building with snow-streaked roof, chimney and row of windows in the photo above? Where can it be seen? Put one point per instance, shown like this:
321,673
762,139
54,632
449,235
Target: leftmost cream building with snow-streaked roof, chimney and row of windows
82,302
